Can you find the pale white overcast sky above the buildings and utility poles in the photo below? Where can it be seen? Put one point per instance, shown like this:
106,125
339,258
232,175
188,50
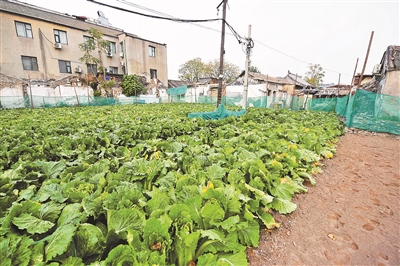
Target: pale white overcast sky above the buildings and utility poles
287,35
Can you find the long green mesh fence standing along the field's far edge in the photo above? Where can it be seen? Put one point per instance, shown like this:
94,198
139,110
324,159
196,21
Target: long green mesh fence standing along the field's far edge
364,110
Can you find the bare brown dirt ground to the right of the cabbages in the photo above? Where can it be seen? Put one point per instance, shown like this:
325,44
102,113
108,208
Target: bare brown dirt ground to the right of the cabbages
350,217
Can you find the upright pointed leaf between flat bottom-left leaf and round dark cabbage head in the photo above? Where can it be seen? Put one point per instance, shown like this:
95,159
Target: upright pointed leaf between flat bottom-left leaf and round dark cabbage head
59,241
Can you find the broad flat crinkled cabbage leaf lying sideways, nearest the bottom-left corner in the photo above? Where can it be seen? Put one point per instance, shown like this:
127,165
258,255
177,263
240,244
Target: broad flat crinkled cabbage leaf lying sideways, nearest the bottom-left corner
32,224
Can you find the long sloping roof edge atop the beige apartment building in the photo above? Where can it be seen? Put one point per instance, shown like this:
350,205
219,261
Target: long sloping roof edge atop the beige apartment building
31,11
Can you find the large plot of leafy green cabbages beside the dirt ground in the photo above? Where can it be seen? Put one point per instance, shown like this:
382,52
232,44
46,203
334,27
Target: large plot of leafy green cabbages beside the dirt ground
144,185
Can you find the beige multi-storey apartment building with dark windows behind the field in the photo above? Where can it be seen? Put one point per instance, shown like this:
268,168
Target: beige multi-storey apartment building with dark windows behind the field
41,44
